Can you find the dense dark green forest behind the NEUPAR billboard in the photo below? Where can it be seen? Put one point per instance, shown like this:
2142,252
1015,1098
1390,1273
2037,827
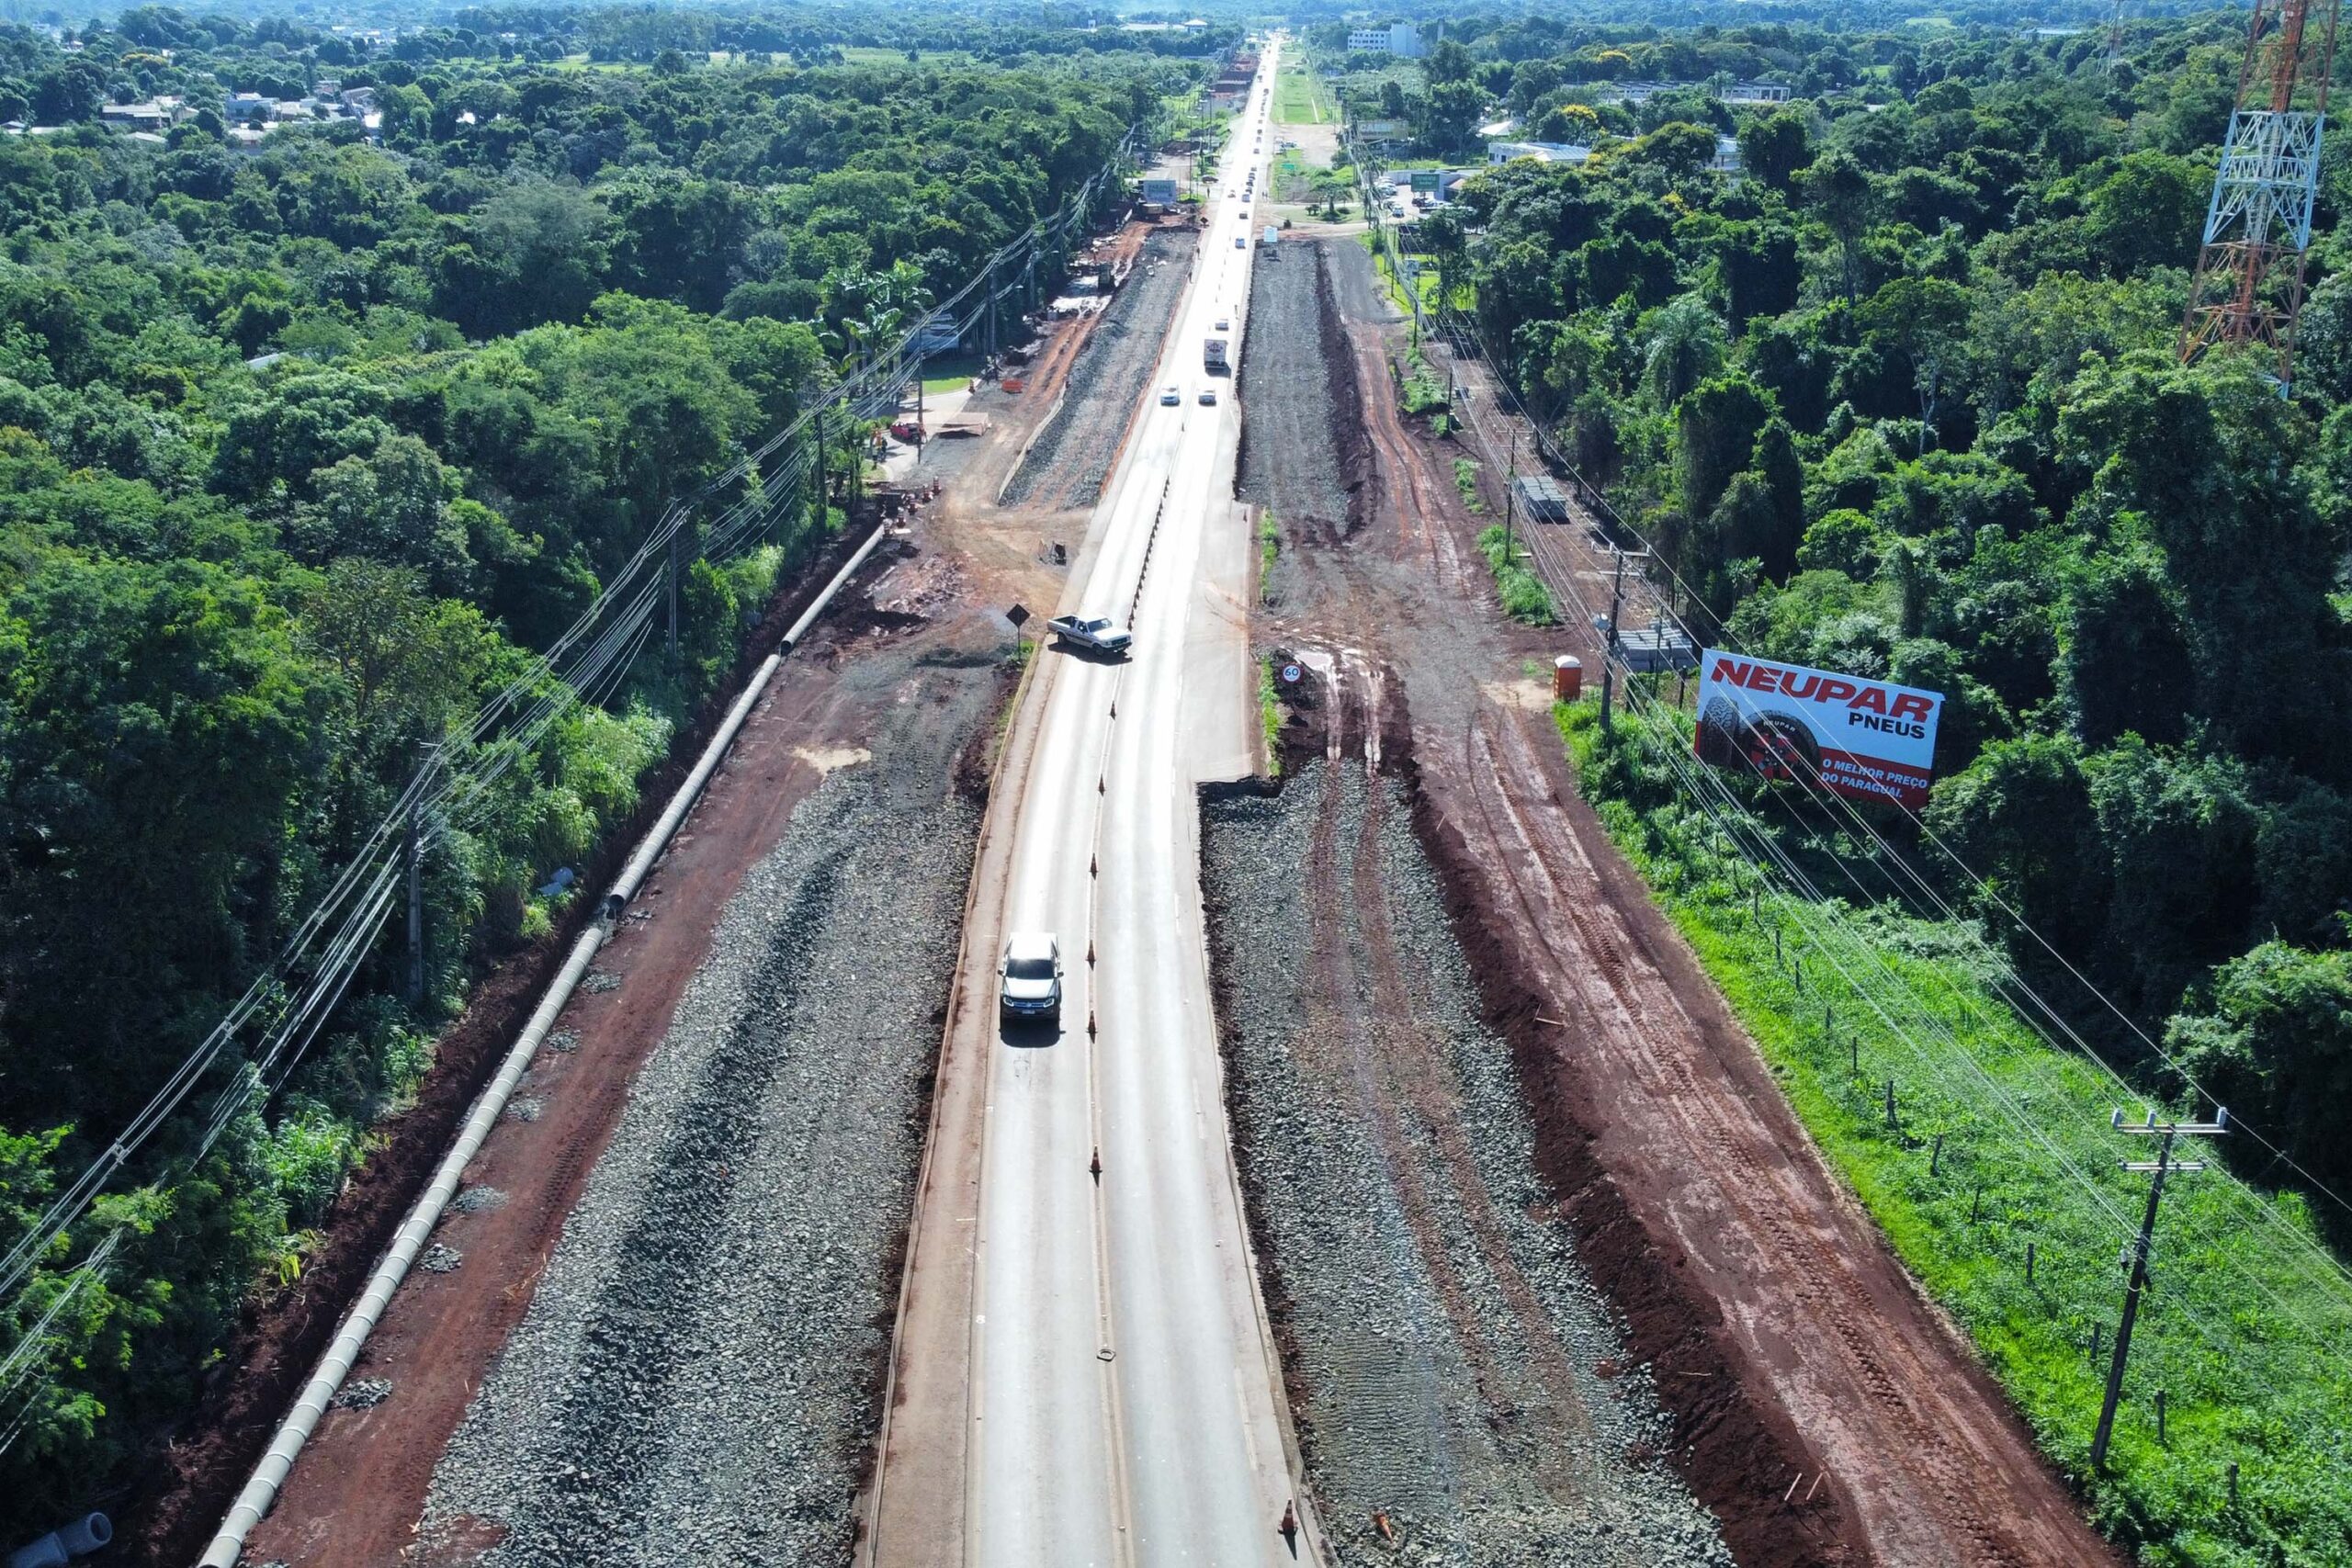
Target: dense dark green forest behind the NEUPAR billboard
1904,401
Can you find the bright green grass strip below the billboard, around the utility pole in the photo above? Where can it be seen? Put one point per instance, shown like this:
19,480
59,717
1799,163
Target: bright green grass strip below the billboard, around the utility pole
2003,1144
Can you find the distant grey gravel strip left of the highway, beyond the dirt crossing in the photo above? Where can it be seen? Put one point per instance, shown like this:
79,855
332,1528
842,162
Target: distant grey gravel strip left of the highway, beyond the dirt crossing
1074,455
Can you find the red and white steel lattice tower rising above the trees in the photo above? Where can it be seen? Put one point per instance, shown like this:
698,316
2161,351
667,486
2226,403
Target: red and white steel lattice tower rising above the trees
2259,225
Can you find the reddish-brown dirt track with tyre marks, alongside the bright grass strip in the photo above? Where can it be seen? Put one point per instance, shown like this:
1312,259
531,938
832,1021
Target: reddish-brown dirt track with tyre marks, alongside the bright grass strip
1824,1409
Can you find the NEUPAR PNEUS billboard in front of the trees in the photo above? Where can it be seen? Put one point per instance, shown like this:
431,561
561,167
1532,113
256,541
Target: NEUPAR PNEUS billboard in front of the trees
1862,737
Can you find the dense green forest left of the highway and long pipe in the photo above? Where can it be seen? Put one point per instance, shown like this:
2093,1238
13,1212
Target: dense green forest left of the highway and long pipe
307,445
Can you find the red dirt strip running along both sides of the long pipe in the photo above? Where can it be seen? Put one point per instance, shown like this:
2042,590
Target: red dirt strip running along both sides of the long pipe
361,1485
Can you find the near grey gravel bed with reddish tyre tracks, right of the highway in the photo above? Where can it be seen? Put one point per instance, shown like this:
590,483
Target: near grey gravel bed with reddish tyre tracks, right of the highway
1452,1365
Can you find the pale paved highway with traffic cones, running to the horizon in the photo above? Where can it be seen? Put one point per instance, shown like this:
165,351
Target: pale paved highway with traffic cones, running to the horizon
1111,1393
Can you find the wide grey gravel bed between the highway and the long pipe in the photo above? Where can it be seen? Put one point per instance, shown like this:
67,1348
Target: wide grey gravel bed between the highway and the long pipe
700,1369
